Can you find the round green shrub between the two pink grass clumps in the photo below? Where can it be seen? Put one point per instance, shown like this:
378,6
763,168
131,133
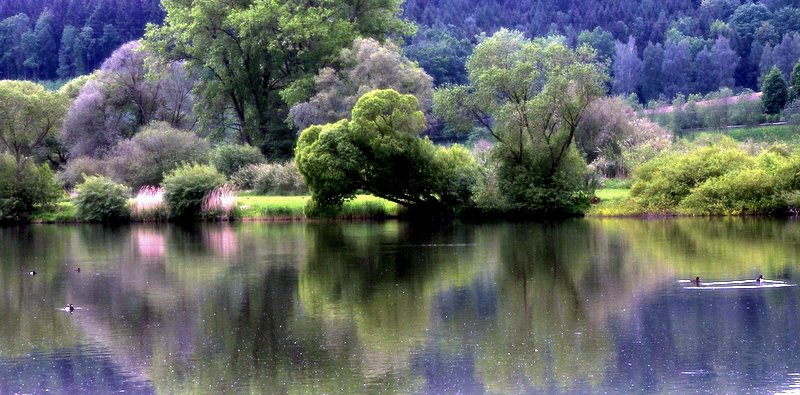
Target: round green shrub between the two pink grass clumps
186,186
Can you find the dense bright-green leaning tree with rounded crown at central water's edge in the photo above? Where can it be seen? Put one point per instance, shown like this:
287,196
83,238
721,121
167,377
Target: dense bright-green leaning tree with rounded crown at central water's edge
379,152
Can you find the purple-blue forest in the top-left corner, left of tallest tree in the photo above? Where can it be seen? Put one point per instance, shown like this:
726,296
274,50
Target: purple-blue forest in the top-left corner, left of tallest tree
60,39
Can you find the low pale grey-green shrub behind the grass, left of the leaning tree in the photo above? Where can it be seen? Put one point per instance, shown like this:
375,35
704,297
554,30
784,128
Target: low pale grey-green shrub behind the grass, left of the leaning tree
271,179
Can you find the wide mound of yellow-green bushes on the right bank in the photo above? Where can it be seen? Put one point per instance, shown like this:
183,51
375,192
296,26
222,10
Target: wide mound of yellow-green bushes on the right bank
718,179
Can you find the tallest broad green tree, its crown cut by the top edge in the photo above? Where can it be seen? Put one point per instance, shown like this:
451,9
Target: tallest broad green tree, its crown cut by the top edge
258,57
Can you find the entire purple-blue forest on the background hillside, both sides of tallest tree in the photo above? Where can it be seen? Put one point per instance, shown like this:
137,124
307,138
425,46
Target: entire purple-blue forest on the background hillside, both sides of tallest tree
655,49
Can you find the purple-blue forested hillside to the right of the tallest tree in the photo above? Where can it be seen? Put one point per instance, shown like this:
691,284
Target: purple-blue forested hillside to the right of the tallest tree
656,49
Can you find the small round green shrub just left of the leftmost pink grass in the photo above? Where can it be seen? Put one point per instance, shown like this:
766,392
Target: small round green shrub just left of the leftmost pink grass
99,199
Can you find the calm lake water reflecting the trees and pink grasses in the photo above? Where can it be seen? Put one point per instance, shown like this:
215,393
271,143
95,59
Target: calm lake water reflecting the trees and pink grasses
585,306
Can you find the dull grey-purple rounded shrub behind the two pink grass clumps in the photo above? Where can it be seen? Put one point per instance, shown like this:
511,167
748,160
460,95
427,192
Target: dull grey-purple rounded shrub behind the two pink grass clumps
157,149
